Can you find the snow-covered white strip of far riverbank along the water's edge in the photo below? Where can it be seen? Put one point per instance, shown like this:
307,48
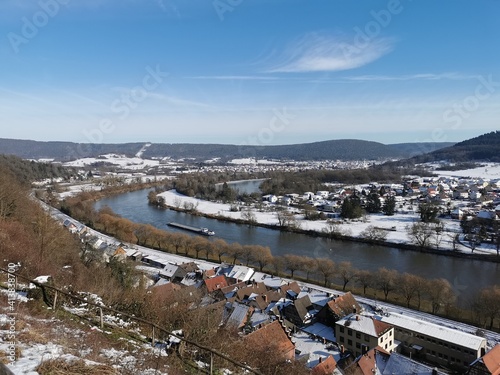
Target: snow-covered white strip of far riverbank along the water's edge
395,226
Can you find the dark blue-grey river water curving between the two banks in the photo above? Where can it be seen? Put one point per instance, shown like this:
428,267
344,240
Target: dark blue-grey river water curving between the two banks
466,276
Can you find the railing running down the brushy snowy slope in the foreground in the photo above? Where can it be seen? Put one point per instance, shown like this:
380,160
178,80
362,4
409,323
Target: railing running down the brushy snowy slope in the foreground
155,328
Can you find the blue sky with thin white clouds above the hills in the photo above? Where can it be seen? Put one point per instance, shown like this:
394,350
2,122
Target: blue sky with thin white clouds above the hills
249,71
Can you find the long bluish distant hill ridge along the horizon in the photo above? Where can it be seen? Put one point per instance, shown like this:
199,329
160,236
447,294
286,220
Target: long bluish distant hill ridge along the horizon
342,149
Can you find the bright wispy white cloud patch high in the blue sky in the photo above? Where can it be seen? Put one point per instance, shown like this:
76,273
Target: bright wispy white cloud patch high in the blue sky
320,53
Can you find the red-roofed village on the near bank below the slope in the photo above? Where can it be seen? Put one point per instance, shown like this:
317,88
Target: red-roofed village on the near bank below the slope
332,332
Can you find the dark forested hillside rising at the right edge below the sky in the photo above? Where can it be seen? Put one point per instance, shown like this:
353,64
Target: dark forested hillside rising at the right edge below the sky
485,147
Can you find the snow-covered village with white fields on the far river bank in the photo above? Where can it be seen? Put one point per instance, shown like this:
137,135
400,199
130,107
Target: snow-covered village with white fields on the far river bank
462,211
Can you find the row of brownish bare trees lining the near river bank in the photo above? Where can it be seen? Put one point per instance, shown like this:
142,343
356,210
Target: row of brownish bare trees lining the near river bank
434,295
